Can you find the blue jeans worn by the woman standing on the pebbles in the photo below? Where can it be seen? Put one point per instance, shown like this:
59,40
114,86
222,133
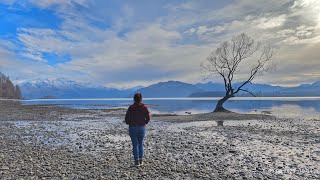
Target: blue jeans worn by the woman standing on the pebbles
137,134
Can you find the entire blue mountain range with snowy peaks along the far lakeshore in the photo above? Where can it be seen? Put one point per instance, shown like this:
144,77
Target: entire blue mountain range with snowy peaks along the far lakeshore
63,88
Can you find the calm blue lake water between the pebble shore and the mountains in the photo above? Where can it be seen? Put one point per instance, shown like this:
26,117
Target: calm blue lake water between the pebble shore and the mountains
301,107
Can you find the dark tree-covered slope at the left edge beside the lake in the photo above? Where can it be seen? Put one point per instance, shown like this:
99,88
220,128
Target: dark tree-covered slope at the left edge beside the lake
8,89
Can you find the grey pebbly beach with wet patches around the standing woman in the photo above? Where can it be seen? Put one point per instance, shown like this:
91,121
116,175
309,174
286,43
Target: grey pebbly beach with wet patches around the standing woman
52,142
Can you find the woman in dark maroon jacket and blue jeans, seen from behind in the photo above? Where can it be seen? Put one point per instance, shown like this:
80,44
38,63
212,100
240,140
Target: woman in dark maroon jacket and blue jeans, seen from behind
137,117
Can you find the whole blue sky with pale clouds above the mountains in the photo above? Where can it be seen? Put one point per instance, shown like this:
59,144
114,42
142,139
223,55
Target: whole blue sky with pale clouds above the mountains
140,42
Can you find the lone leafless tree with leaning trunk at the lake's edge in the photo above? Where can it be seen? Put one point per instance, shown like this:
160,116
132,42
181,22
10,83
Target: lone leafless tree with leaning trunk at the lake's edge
225,61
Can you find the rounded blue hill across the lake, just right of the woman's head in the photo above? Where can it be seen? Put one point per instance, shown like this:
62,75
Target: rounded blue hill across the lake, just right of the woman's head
169,89
